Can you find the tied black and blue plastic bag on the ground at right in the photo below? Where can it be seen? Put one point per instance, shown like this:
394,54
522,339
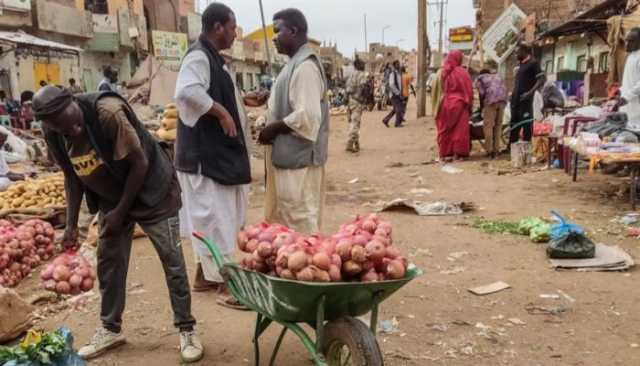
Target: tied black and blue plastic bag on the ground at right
569,242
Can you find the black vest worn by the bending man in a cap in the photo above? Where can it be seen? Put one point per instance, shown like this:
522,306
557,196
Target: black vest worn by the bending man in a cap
160,173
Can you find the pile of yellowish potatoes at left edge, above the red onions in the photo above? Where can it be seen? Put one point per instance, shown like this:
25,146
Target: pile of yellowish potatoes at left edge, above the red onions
45,192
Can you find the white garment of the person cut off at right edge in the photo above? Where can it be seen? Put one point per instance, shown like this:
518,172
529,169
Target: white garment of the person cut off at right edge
630,90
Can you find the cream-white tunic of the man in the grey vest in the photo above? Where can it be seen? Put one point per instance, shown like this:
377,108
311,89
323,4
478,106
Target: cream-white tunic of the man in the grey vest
295,197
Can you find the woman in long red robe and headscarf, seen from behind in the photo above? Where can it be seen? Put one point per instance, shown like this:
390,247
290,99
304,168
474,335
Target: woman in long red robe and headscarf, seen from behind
453,109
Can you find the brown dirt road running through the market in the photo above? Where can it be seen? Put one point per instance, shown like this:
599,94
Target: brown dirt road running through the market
439,322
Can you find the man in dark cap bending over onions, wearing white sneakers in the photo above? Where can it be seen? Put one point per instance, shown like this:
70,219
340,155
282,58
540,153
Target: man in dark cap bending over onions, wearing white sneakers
107,155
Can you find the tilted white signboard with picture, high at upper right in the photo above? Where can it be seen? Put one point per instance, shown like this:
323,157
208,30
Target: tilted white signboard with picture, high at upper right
502,37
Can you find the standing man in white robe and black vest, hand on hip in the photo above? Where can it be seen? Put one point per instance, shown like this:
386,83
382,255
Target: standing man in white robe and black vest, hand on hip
211,150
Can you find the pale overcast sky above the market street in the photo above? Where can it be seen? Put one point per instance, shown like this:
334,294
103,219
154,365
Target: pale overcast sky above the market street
342,21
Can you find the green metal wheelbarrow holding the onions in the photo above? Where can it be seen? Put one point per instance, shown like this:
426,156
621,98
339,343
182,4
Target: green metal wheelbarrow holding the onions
328,308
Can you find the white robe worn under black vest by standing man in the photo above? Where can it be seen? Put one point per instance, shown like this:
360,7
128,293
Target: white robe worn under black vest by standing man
214,209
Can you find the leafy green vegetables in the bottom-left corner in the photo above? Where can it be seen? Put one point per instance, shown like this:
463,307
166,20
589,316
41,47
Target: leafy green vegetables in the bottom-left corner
49,345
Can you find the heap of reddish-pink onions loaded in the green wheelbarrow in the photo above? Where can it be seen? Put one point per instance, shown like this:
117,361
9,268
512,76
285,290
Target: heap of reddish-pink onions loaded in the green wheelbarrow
362,250
